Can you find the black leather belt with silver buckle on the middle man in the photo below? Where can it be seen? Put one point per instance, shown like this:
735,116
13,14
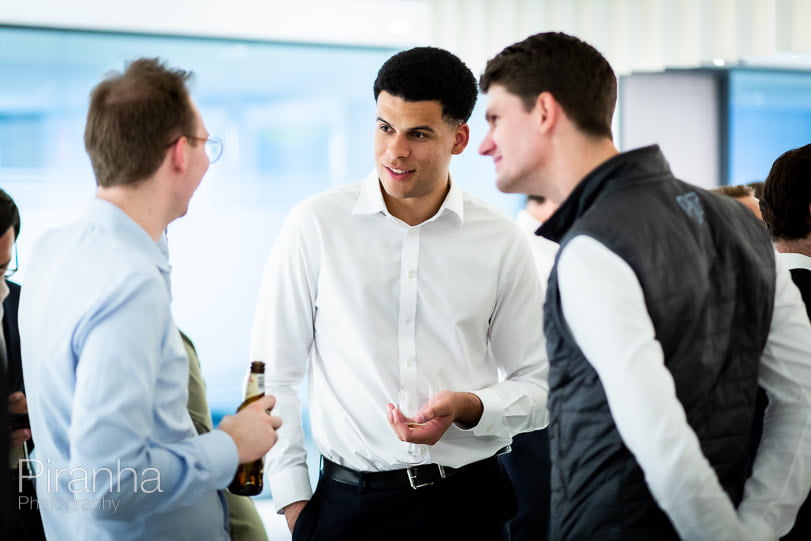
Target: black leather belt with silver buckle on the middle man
415,477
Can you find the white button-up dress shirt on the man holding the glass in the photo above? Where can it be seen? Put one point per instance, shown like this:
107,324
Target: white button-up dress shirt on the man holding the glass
374,305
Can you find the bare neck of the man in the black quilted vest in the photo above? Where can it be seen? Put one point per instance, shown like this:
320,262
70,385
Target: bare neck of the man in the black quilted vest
577,156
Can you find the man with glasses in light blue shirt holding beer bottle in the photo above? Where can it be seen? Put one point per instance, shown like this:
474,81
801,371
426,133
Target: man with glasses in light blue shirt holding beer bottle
117,454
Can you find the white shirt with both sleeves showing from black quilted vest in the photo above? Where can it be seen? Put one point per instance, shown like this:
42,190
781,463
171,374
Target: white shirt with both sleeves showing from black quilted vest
596,285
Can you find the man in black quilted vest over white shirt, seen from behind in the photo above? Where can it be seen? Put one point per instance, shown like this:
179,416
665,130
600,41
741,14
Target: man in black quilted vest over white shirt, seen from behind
664,312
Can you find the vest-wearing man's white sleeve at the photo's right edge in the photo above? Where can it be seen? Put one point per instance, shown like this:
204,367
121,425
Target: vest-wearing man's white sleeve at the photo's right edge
781,476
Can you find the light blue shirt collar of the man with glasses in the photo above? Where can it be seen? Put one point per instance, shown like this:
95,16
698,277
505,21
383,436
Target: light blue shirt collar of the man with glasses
109,217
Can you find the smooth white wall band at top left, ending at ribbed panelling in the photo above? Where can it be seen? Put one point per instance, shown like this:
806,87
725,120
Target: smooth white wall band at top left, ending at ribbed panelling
352,22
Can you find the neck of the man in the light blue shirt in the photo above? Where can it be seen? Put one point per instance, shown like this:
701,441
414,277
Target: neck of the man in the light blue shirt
140,203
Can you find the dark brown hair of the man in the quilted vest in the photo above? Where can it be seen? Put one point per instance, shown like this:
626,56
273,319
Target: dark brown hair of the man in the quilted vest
573,71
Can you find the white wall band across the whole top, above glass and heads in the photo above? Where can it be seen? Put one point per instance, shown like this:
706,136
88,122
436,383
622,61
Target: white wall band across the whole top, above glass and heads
635,35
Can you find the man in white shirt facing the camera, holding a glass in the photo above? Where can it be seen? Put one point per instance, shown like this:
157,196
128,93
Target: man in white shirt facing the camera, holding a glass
401,281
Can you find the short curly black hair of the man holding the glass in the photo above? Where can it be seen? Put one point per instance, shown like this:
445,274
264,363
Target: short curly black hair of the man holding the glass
430,74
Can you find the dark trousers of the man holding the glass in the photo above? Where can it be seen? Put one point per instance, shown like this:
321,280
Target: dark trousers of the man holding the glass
474,504
